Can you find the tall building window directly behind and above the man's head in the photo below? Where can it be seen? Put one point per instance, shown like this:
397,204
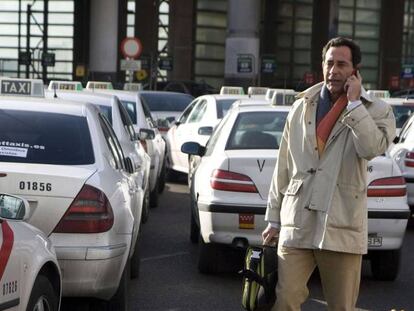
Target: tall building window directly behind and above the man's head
360,21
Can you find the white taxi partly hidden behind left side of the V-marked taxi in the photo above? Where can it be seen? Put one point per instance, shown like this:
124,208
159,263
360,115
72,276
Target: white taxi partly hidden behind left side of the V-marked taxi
196,124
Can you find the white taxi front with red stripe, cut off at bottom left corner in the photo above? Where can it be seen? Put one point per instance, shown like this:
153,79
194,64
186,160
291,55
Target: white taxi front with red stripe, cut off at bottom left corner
29,273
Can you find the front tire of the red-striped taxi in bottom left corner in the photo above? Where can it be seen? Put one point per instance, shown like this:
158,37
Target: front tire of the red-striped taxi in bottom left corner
43,296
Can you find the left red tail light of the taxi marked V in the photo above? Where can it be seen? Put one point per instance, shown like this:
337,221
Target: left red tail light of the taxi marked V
230,181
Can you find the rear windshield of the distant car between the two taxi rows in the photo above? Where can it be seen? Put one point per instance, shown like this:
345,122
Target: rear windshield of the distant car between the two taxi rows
167,101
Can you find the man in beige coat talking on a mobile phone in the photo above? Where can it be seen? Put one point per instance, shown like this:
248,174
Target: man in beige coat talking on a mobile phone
317,206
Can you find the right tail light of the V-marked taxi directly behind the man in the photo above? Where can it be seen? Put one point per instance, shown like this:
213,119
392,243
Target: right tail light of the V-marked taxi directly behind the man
387,187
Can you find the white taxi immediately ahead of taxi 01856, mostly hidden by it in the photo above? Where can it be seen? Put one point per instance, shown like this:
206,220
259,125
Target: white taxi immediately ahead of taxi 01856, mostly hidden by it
121,123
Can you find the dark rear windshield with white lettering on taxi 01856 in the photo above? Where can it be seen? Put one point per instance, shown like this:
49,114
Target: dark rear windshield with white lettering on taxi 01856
46,138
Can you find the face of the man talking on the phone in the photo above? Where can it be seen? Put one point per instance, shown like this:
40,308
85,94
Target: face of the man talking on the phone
337,67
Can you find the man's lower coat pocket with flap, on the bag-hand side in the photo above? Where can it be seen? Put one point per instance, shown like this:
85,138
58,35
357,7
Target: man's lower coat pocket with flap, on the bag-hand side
290,211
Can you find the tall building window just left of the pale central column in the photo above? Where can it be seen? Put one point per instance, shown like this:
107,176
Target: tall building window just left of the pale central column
210,38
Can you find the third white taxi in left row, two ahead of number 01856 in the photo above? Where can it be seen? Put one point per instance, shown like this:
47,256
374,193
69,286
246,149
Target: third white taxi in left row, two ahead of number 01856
142,119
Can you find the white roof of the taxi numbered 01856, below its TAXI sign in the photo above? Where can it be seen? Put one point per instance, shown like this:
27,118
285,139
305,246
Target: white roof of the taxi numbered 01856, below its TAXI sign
52,105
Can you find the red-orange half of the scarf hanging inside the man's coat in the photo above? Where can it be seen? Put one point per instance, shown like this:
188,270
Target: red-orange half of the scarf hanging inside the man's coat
324,127
